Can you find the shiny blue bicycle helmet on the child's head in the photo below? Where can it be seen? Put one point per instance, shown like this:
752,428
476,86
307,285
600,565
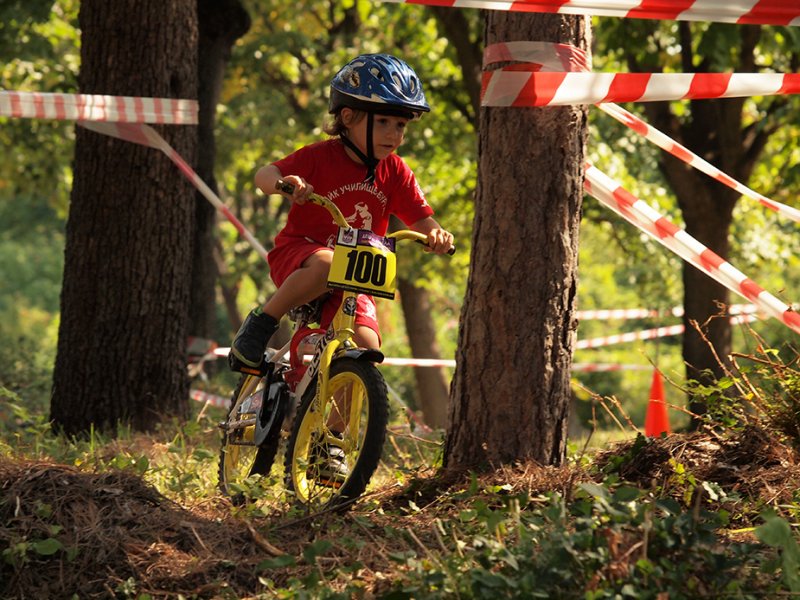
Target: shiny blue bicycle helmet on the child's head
378,83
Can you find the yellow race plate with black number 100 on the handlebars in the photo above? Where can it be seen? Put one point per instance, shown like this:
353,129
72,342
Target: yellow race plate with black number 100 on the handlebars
364,262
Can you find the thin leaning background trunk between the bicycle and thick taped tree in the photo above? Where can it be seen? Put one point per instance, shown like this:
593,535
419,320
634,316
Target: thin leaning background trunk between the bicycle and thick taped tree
432,385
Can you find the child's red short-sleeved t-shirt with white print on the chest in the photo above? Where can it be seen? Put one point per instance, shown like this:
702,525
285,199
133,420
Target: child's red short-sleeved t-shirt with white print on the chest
327,167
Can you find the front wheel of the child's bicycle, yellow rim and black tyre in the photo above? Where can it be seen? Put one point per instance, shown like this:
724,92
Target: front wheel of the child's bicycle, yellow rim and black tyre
336,442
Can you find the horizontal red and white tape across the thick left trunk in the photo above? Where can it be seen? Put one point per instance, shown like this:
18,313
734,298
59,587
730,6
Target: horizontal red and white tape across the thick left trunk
96,107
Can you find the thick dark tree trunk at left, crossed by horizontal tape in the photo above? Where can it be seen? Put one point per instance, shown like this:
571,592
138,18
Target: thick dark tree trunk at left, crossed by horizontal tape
121,346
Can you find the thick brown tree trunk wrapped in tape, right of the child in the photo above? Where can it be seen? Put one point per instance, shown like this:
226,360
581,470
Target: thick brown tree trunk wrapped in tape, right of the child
511,392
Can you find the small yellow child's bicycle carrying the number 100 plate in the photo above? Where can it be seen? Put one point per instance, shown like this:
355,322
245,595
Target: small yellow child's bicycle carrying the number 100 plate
298,399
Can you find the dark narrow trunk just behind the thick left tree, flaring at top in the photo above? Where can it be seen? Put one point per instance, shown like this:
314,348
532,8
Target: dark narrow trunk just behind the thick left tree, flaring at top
221,24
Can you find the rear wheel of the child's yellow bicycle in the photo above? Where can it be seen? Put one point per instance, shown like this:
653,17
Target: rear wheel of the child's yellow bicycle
241,456
